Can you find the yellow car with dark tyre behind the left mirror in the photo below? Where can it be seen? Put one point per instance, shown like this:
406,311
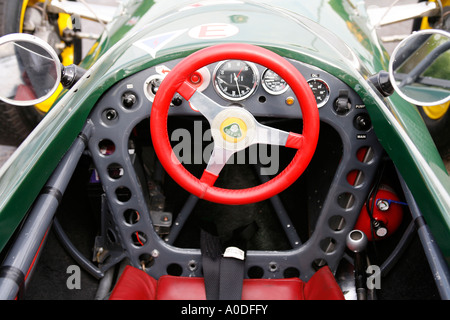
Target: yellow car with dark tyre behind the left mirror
25,16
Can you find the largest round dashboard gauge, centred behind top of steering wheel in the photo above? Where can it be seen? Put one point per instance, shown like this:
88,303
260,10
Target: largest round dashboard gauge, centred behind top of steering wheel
235,80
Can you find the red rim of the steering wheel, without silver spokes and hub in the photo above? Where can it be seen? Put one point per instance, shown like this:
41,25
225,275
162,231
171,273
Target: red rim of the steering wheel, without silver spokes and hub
203,188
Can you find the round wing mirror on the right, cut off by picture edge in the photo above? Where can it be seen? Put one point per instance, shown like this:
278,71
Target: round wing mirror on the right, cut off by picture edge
420,68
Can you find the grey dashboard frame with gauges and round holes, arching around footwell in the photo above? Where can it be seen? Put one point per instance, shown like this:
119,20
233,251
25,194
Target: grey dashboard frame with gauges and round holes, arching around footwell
340,173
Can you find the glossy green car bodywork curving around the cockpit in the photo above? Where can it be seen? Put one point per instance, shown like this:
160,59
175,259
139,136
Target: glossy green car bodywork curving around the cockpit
332,35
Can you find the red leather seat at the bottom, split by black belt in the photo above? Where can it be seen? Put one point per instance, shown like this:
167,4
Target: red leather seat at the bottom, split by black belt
135,284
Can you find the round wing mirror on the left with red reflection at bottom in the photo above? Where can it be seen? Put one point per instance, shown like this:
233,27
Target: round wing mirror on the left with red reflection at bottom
30,70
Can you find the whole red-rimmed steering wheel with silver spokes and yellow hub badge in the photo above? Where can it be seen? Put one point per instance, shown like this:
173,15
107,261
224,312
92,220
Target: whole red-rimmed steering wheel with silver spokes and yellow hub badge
220,117
